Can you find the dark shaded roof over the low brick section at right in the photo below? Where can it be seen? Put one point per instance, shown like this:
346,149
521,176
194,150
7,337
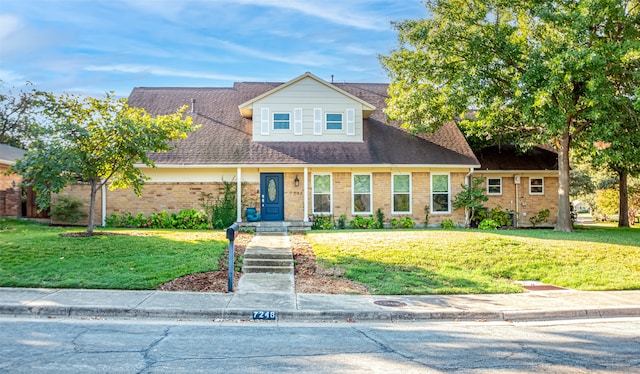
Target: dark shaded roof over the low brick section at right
507,157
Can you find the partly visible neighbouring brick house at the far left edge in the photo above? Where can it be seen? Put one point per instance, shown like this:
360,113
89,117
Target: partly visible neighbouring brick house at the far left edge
10,193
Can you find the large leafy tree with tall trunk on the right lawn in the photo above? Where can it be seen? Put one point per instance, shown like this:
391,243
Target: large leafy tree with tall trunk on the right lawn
545,70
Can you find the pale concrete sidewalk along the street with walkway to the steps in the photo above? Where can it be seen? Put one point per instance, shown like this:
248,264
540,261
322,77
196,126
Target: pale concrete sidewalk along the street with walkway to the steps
276,293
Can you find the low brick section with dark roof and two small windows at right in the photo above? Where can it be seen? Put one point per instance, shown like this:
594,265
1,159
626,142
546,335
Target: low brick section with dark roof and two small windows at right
521,183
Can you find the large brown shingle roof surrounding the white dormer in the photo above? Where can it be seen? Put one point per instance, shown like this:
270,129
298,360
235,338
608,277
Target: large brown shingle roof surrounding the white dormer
225,136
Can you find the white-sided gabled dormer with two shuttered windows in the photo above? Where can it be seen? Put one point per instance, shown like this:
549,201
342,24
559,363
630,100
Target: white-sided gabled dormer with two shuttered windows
307,109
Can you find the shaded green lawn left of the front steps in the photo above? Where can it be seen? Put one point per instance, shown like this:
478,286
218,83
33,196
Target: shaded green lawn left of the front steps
35,255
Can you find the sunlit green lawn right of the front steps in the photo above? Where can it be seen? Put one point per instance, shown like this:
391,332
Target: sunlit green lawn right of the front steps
470,261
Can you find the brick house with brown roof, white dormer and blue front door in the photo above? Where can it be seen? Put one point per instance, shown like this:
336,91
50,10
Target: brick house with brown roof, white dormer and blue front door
302,148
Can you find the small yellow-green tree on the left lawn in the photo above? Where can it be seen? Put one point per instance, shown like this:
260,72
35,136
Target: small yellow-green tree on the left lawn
96,141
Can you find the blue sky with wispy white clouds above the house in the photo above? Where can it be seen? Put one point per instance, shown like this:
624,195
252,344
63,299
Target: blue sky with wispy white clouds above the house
90,47
